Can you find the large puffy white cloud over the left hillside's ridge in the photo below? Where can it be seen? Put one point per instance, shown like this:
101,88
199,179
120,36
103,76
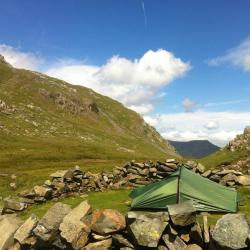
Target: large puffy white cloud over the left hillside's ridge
135,83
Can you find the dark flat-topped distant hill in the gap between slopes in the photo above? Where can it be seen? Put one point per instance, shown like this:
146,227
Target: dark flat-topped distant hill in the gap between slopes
195,148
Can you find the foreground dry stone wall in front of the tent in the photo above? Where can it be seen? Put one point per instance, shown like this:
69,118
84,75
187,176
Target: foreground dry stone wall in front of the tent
81,228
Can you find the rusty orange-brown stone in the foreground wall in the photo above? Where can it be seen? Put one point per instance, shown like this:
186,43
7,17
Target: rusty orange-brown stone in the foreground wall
106,221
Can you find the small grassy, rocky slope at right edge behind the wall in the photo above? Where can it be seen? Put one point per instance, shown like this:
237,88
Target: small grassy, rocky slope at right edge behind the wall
236,154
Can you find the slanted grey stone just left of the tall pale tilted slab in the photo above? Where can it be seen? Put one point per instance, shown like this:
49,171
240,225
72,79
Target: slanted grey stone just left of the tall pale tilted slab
49,224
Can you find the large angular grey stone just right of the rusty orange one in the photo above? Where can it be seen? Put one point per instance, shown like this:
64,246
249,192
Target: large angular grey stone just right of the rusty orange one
147,228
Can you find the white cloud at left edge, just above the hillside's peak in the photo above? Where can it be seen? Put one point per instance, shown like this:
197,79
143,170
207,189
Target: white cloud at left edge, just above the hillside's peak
20,59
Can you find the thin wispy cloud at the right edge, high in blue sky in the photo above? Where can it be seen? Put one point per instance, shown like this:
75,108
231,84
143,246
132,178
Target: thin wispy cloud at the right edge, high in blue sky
239,56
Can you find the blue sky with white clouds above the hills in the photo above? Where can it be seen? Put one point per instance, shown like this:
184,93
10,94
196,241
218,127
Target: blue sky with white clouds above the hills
184,65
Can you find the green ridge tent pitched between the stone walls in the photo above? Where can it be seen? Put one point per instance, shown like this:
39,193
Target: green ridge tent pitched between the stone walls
185,185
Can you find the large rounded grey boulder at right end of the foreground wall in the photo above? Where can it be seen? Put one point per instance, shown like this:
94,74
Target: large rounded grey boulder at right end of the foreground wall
231,231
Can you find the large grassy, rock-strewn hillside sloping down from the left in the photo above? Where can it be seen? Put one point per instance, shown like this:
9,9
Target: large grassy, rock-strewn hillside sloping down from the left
46,121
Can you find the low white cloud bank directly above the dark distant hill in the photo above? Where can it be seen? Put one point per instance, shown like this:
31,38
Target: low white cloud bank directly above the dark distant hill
194,126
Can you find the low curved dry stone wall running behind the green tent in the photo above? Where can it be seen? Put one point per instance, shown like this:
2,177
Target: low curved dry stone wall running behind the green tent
133,174
